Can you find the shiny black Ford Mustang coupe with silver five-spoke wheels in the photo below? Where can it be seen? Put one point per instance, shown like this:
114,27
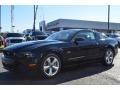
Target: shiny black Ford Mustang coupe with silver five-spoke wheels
49,55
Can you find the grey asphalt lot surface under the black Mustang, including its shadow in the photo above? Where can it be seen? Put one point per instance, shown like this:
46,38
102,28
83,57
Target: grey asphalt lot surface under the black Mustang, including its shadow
90,74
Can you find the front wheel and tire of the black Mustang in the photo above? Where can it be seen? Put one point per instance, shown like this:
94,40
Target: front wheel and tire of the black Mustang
50,66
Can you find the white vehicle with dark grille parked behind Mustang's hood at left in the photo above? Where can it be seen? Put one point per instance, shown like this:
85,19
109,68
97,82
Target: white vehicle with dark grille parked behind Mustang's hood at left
13,38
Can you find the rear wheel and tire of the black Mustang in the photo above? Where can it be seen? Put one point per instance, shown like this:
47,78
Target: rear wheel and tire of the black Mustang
108,57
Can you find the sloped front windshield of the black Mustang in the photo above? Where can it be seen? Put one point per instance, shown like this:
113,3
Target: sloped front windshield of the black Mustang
61,35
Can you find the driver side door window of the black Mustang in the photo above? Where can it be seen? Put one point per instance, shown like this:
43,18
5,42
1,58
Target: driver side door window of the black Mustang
85,35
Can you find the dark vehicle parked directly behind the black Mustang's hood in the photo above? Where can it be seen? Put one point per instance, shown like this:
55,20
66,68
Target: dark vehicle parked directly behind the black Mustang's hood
37,35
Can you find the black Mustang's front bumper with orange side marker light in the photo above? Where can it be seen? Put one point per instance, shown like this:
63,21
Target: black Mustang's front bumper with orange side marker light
20,65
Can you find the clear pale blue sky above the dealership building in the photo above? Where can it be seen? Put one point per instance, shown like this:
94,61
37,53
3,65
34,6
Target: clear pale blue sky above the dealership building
23,14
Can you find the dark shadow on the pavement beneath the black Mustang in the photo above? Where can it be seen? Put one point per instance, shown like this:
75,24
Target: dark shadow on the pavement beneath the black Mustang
67,74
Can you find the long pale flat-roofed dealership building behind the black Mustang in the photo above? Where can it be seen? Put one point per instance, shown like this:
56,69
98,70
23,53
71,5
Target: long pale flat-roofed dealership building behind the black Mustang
63,24
